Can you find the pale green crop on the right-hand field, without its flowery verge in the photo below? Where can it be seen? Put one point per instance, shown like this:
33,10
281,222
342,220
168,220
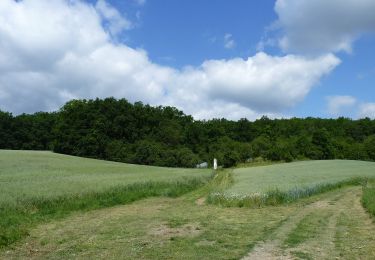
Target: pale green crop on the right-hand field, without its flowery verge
288,176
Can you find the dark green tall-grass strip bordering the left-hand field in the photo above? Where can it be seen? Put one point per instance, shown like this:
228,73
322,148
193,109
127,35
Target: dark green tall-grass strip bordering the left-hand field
16,221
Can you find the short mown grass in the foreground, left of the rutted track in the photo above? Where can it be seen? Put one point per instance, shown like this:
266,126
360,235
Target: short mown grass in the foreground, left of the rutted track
131,232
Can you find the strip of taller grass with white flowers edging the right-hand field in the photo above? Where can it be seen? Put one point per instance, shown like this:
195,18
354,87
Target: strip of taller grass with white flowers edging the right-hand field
276,196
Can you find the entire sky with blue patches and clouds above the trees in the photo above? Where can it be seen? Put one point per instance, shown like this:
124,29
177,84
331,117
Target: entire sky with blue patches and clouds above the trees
209,58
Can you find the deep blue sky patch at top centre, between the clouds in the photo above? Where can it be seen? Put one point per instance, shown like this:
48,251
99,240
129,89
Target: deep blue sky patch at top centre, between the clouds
190,32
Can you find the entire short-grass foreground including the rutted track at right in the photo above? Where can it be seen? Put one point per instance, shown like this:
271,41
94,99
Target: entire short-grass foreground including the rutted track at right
332,225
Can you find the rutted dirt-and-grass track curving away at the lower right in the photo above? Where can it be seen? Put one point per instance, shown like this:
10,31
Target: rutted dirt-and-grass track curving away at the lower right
336,227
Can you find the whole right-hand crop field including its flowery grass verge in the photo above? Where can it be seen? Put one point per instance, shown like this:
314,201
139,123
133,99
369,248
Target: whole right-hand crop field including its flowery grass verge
282,183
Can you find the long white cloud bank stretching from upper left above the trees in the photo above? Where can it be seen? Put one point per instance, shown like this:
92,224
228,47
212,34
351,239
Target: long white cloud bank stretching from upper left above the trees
54,50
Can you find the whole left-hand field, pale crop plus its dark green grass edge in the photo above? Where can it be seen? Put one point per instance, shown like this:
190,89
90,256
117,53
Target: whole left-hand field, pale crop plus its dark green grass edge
35,187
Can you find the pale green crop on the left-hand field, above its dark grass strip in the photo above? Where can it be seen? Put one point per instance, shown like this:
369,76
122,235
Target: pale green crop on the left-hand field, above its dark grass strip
28,175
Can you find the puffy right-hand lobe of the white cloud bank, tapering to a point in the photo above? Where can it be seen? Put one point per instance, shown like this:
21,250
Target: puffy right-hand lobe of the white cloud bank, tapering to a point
262,83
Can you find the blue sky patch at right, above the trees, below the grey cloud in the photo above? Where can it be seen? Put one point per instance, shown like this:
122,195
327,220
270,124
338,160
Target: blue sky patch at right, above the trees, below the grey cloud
354,77
